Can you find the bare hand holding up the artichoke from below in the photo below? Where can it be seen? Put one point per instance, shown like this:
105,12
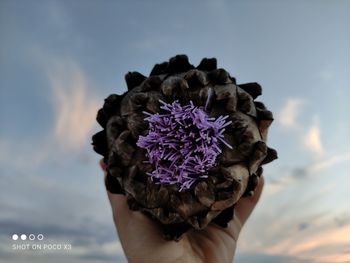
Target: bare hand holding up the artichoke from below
142,241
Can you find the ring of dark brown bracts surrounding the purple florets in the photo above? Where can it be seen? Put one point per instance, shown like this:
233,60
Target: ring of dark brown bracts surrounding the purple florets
211,199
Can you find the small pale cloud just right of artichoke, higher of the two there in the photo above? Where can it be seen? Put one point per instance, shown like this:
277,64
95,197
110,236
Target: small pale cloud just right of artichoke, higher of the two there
288,115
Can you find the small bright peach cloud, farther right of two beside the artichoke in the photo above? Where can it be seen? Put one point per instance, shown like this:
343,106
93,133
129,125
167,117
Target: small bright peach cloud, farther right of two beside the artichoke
312,139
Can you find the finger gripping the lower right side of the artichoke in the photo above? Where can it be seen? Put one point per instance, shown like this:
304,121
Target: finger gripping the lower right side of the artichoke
245,206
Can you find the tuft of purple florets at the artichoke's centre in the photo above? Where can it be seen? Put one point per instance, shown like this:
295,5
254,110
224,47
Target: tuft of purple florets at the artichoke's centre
183,143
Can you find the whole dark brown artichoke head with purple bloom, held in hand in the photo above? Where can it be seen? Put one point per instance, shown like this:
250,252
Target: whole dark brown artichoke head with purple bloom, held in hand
184,144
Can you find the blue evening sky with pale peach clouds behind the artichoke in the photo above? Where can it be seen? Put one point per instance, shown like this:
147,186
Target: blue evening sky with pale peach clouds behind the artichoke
60,59
